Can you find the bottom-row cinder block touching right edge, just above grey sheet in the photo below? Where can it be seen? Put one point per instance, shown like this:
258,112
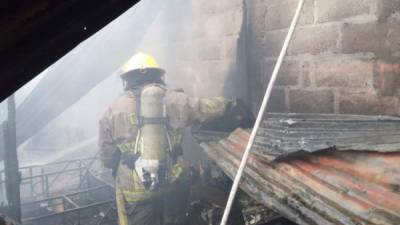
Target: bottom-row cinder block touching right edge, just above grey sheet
367,104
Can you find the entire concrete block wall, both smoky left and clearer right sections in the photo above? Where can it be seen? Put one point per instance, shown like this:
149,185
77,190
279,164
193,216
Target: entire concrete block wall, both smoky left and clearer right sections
344,57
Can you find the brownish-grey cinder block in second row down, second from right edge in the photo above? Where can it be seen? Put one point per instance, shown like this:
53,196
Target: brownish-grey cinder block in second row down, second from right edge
362,37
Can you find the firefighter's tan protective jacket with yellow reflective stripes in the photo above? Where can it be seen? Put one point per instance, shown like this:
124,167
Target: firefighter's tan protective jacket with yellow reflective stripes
118,130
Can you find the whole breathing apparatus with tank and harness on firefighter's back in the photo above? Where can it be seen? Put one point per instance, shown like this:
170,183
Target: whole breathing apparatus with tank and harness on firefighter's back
151,156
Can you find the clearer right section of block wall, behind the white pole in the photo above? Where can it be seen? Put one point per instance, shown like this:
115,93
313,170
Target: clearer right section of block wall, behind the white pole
344,58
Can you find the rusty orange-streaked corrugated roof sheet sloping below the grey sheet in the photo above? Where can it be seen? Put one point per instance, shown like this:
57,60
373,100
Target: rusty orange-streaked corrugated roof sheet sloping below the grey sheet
325,187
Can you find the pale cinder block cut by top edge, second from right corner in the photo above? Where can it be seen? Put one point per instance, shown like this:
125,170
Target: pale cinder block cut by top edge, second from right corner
333,10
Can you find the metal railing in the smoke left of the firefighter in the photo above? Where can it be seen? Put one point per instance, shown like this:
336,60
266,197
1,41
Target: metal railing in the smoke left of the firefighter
65,193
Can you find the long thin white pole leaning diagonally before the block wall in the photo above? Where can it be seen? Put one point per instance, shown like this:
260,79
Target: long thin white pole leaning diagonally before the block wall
264,104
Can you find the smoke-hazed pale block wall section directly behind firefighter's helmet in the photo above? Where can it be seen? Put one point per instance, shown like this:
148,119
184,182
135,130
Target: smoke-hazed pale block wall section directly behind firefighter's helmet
198,43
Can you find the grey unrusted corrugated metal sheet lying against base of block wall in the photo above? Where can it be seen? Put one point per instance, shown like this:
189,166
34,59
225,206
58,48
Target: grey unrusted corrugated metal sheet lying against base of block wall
285,134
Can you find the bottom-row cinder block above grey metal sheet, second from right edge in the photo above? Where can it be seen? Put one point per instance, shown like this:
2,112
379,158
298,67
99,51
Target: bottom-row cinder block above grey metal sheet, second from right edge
308,101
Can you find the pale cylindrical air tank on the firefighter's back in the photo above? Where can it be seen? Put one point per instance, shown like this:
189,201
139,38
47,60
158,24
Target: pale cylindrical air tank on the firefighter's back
154,142
